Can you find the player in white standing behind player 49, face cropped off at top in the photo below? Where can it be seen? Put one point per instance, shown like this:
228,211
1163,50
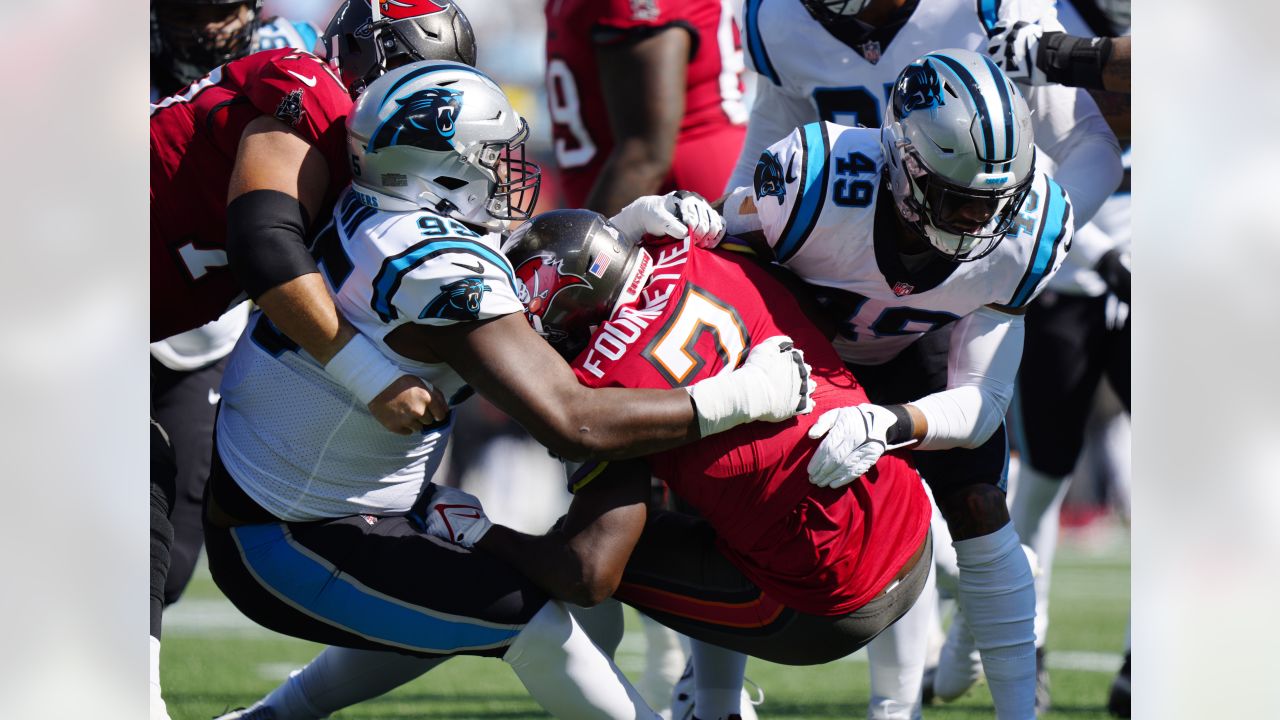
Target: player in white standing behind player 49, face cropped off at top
838,61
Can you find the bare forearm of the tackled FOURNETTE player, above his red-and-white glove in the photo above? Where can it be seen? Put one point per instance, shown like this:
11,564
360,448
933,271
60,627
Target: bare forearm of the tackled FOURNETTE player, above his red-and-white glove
551,562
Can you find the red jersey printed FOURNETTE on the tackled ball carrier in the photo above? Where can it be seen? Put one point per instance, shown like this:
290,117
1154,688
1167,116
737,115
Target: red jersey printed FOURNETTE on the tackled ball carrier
817,550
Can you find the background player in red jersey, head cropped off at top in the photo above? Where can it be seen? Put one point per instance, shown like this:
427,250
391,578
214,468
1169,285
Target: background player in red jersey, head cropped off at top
646,97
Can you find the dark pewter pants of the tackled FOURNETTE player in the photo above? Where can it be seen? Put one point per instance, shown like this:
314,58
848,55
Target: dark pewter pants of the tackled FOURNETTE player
680,578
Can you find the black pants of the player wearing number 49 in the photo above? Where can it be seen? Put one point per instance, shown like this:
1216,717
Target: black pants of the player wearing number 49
920,371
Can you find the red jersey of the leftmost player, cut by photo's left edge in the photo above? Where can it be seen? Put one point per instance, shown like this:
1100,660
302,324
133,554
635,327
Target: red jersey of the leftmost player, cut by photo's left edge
194,142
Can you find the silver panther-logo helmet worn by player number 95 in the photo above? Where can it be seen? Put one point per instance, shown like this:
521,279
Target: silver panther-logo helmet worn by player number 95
442,136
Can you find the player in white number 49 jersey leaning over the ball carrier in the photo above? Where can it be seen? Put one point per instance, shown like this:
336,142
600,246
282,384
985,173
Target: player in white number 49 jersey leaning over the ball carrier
925,241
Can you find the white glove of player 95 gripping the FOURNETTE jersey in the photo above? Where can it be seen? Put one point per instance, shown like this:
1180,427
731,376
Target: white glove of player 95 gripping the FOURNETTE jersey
772,385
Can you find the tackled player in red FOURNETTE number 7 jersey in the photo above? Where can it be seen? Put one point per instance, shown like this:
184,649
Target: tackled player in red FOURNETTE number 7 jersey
776,567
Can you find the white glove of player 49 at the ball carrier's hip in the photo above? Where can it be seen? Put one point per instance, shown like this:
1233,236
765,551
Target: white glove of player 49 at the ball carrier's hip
854,443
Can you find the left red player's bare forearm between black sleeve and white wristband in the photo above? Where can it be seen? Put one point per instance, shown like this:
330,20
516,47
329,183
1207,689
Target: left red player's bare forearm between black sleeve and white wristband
304,311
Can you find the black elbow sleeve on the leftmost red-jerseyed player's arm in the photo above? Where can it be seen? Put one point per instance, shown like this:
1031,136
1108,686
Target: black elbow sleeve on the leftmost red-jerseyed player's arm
267,240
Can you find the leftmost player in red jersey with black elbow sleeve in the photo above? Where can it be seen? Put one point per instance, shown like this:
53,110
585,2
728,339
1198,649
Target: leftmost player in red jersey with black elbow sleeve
241,161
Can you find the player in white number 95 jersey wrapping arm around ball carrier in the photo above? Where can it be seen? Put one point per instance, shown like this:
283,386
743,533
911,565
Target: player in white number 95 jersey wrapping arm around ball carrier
313,525
